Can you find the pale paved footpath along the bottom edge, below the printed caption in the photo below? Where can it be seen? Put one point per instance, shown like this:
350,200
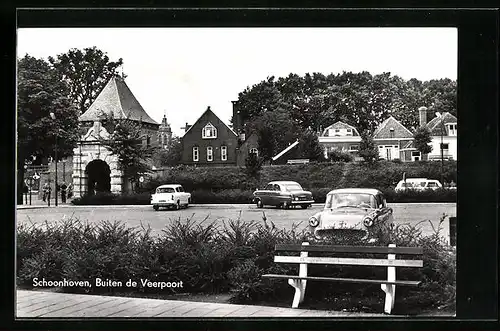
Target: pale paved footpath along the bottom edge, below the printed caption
39,304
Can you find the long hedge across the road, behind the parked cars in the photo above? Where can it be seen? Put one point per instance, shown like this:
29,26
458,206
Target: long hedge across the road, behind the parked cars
383,175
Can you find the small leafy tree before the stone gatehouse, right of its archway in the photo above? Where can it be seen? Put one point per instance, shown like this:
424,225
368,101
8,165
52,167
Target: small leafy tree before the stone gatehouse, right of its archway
127,143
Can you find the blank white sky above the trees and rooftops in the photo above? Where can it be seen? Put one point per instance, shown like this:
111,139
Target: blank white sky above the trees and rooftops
181,71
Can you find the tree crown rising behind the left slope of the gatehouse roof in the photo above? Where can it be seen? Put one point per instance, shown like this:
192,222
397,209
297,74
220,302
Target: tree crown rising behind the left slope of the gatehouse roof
86,72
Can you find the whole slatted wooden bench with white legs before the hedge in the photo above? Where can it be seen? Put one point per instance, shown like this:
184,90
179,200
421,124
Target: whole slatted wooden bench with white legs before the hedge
389,261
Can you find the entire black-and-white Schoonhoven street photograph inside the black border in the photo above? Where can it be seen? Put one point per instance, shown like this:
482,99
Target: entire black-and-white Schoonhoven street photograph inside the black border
223,172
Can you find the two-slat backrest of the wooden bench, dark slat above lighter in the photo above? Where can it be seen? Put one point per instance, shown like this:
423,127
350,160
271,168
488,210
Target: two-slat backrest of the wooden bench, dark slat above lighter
383,261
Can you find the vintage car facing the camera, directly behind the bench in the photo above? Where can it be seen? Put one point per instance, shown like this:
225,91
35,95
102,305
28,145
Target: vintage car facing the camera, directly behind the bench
358,213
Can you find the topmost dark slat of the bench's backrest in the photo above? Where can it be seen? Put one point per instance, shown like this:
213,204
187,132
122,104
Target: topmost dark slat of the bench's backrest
350,249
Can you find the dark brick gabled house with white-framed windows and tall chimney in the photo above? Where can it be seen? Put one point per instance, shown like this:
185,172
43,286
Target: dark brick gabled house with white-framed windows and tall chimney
210,142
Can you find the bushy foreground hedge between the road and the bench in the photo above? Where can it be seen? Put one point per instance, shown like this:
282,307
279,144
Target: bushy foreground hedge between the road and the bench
221,258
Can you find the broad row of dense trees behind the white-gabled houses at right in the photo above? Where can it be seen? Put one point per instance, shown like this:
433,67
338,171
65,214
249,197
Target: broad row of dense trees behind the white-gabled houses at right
294,107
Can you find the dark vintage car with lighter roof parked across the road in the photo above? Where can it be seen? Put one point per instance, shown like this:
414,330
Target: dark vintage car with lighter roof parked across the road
284,194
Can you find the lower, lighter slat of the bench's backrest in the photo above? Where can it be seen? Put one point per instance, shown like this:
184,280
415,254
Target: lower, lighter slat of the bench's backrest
349,261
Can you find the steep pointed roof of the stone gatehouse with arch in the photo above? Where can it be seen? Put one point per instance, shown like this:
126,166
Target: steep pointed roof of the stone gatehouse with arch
117,100
